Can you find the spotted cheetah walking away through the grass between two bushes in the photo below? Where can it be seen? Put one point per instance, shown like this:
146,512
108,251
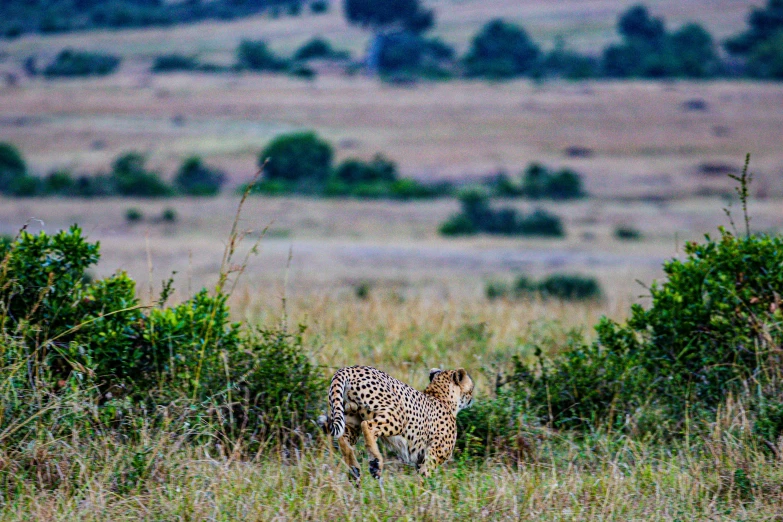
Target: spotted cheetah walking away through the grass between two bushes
420,426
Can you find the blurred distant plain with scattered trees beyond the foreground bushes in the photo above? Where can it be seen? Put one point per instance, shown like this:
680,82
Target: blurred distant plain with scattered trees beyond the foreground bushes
441,149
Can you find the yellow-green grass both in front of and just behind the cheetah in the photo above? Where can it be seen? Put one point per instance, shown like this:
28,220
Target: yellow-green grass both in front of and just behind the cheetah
719,474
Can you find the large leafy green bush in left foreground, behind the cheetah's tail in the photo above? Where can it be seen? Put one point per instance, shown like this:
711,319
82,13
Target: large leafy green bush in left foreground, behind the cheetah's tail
73,335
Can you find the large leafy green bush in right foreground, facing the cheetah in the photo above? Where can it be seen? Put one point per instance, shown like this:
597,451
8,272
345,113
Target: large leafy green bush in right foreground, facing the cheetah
712,328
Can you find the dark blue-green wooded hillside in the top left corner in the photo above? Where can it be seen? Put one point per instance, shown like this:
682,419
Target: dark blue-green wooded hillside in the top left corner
58,16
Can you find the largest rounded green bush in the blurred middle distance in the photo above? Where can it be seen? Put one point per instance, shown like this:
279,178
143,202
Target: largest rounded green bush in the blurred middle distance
300,157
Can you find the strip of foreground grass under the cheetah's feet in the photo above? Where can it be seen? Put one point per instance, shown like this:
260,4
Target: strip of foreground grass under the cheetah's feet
601,477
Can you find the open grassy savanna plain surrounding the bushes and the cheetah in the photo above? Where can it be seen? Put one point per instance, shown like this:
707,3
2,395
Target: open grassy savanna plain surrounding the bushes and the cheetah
372,282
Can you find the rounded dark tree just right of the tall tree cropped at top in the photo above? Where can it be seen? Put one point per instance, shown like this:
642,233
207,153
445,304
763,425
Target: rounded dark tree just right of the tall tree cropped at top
501,50
